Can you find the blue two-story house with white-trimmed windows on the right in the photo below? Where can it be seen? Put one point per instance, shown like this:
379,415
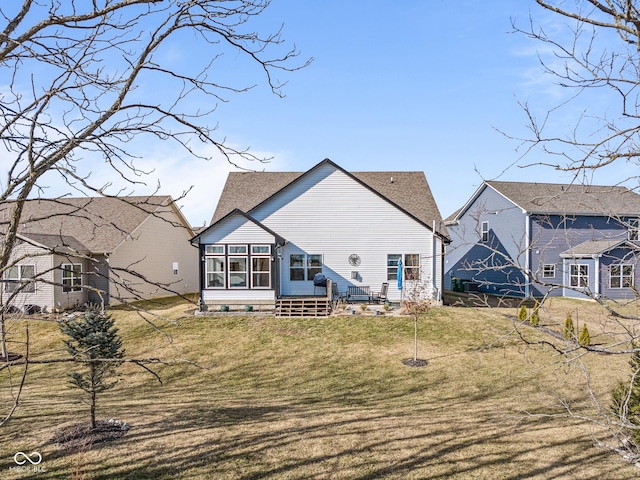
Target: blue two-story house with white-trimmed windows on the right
535,239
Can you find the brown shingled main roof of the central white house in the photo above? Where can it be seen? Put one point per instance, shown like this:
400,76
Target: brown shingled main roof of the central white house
409,191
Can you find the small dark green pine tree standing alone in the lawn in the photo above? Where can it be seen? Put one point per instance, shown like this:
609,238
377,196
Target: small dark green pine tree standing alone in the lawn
93,336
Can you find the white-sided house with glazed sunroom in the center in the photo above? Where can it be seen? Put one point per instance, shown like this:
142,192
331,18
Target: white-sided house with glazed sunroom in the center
273,231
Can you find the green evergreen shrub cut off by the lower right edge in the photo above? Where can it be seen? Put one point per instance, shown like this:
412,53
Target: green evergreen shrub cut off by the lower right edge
626,400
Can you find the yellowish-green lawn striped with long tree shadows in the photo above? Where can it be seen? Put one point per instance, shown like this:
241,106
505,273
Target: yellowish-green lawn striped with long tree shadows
279,398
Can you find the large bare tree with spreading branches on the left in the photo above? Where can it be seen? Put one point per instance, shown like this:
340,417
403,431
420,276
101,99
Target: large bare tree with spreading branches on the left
87,84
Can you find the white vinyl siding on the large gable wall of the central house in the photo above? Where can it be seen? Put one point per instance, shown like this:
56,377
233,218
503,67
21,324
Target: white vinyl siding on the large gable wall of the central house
329,213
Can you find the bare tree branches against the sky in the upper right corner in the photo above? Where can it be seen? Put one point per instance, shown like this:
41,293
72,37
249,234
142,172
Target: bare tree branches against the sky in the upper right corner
593,56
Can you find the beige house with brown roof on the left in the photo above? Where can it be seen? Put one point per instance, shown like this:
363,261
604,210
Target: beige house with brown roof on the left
71,251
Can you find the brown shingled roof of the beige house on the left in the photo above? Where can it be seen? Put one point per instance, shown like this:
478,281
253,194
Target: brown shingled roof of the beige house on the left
97,224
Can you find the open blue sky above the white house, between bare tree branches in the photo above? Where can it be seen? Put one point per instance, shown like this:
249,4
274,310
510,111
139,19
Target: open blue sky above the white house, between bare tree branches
417,85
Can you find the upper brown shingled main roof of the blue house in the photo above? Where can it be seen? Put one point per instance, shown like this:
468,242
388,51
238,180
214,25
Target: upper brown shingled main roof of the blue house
556,198
